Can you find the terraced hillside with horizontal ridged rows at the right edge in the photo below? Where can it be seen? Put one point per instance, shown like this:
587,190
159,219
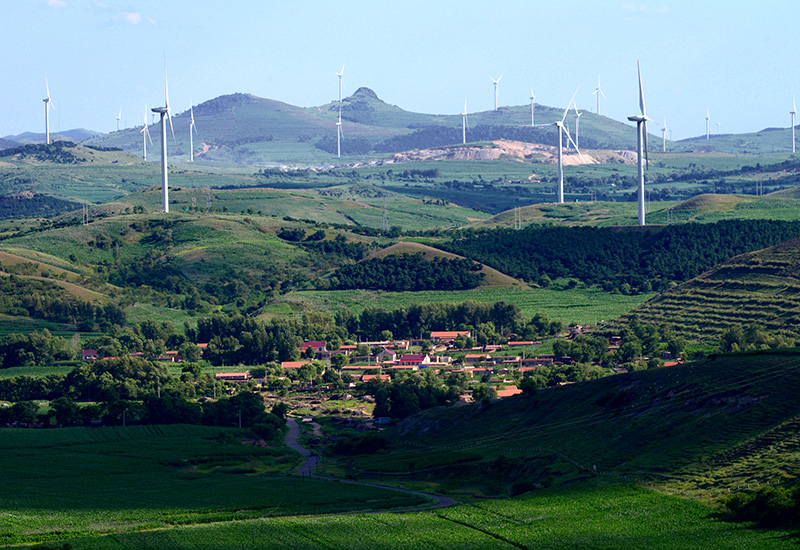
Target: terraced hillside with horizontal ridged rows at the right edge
760,288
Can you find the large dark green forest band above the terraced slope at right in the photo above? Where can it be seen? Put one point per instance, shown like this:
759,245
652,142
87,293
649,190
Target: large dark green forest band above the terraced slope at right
626,260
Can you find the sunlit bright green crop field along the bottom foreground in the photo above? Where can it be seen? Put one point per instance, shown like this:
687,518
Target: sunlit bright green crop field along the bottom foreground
595,516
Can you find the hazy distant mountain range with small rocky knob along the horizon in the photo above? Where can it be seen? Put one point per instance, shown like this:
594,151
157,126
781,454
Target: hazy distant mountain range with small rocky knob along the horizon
246,129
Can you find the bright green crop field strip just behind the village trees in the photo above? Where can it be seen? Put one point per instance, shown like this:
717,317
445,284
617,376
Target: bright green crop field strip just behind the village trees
581,306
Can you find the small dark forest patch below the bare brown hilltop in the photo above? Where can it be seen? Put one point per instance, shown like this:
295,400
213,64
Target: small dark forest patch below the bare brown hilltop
408,273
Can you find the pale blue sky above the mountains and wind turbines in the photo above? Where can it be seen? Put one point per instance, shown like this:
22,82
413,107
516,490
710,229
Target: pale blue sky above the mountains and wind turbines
732,58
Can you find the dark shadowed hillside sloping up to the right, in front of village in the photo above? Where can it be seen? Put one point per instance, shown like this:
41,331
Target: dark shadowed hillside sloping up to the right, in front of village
699,428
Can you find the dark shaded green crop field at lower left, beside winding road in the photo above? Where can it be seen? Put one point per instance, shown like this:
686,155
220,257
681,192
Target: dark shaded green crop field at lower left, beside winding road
72,482
